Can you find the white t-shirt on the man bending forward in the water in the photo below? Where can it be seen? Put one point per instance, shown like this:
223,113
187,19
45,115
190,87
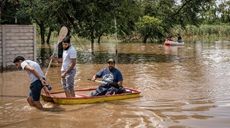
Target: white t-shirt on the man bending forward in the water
34,65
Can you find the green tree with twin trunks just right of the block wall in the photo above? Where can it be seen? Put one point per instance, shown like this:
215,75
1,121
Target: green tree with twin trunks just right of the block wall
43,13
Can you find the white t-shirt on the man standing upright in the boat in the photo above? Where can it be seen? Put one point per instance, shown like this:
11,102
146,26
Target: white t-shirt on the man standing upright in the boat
67,55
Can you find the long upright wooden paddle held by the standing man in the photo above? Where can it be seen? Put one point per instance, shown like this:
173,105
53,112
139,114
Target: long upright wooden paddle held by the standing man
62,34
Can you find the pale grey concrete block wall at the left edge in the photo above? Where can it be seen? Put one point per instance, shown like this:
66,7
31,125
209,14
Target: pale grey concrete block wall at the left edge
16,40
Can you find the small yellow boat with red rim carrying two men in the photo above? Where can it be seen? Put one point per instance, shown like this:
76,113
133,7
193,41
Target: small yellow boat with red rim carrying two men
82,96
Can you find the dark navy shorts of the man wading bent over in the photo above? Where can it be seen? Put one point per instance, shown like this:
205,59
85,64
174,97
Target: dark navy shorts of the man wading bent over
35,90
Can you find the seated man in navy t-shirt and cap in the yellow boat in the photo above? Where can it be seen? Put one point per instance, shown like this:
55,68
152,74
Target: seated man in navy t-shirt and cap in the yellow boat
111,80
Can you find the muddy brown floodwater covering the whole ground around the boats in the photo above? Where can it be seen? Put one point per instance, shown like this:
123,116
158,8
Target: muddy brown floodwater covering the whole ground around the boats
181,86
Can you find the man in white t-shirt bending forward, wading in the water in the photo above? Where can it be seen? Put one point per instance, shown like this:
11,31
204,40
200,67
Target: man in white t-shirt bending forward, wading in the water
37,80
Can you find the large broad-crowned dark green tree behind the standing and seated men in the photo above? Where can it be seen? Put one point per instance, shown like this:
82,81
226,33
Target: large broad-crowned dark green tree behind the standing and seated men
93,19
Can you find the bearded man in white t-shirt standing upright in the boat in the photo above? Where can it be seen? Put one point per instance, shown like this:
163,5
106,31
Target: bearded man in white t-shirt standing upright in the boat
68,68
